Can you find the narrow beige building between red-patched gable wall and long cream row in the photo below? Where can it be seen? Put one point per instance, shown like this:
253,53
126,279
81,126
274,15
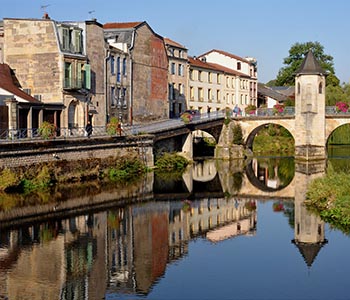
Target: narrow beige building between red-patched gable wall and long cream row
177,77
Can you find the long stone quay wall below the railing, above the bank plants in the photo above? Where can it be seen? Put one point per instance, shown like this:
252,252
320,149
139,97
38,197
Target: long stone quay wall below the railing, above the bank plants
26,153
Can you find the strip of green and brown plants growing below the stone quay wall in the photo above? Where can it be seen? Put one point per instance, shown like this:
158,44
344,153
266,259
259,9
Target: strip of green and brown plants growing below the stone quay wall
46,175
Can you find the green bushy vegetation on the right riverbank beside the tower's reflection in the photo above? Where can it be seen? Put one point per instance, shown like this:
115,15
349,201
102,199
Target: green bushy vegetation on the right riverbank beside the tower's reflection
329,196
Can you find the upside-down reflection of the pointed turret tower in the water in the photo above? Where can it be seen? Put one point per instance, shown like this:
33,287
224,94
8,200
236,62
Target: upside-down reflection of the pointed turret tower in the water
309,234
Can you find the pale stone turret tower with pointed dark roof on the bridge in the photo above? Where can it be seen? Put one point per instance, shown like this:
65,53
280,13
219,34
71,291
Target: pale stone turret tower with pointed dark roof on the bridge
310,124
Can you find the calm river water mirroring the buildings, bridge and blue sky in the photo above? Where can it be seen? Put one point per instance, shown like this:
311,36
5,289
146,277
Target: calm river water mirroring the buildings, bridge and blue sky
220,232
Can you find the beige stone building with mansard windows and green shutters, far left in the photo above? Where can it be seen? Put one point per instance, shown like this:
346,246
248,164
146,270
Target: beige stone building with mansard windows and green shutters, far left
59,63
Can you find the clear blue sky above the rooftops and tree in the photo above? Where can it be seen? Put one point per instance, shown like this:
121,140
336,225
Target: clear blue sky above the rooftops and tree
264,29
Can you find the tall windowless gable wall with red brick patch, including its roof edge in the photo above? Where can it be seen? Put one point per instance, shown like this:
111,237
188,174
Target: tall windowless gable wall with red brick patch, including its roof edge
148,69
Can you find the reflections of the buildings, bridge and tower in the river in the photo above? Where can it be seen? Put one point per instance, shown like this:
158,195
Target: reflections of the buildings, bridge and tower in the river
126,248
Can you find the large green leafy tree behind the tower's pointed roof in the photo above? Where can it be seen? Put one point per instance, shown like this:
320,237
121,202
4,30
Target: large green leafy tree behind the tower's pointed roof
286,75
